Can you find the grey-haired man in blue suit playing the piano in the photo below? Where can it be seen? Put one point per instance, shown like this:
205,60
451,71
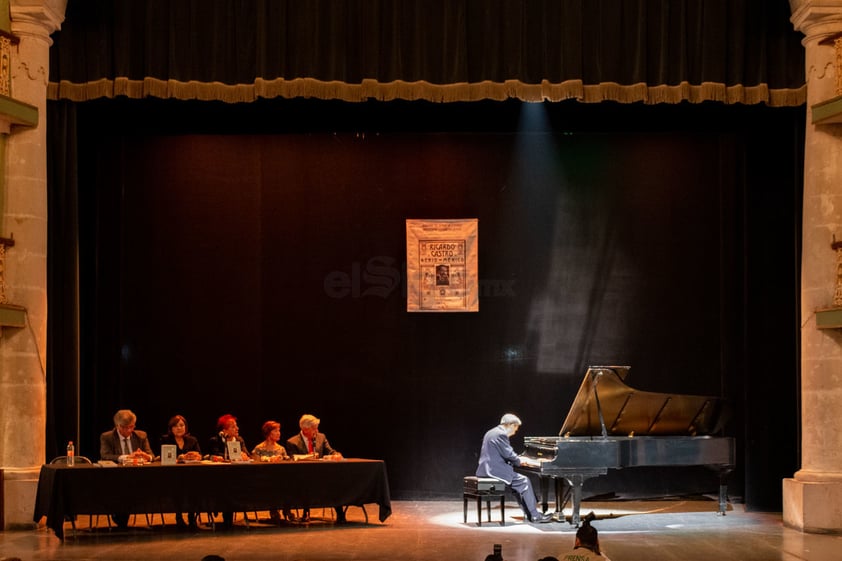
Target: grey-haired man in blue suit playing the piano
498,459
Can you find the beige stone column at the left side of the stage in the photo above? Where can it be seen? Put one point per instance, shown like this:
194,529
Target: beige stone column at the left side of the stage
23,350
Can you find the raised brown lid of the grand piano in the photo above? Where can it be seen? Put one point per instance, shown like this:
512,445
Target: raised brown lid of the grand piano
606,406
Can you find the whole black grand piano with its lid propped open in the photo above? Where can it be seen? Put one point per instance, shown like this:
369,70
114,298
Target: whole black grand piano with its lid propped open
613,426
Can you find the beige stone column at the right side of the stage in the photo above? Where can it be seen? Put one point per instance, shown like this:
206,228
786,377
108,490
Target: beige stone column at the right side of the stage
812,499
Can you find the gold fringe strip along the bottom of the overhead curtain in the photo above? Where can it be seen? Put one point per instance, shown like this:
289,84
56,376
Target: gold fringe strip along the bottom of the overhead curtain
422,90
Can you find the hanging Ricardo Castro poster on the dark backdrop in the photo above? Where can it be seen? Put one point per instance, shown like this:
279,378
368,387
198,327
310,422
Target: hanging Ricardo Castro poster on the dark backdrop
441,265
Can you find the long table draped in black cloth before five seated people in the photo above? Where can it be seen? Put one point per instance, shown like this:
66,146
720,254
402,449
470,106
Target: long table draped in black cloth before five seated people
91,489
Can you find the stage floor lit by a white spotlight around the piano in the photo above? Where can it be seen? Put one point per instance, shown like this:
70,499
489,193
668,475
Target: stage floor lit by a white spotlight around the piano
688,530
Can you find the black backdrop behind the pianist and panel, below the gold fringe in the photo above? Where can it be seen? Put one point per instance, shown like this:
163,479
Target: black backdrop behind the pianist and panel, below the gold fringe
211,238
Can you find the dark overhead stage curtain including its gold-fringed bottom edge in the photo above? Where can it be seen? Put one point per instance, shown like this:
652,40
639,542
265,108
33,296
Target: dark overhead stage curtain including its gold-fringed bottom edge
655,51
